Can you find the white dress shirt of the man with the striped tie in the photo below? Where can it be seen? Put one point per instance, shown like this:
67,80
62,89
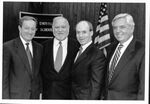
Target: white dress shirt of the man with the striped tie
125,45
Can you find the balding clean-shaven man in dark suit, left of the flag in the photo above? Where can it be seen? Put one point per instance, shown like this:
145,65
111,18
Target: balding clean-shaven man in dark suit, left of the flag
89,66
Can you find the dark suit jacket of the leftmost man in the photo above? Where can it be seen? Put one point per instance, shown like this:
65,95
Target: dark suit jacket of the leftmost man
18,80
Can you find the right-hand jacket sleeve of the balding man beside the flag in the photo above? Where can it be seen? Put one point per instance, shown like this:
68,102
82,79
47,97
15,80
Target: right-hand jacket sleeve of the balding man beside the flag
97,79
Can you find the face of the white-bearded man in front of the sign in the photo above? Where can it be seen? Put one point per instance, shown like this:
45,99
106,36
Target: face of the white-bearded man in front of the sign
60,28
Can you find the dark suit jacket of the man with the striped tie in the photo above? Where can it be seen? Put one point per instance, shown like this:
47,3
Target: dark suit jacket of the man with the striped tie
127,82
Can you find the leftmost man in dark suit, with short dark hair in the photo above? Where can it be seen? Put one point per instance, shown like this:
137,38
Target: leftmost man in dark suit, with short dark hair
21,63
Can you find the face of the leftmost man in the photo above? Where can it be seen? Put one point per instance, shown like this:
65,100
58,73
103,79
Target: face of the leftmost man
27,30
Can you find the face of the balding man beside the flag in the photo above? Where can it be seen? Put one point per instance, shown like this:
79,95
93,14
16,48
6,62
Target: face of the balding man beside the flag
83,33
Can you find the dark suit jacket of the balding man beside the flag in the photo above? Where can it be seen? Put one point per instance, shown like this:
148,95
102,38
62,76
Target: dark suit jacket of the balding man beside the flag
88,74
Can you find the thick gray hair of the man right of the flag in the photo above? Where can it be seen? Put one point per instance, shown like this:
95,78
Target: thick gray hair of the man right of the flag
127,16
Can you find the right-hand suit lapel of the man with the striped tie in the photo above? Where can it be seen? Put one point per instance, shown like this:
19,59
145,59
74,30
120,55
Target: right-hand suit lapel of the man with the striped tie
127,55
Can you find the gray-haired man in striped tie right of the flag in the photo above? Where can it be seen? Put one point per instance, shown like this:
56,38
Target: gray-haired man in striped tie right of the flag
126,66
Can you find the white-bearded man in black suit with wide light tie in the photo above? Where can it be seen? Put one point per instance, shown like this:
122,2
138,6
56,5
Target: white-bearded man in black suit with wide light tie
58,57
